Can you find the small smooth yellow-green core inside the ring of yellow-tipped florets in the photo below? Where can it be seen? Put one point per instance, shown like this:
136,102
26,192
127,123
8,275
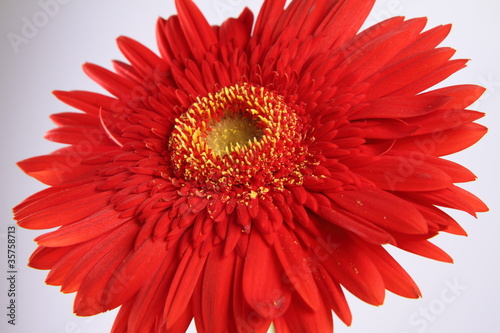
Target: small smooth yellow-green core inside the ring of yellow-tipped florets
232,133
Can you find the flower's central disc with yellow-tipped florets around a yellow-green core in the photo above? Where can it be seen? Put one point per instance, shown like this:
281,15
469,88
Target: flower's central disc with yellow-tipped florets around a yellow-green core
243,138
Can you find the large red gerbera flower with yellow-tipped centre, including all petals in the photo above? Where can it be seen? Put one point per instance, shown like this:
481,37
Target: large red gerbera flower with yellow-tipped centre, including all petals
251,170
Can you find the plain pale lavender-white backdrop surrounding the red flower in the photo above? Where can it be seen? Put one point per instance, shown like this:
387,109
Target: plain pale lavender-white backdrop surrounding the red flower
81,31
